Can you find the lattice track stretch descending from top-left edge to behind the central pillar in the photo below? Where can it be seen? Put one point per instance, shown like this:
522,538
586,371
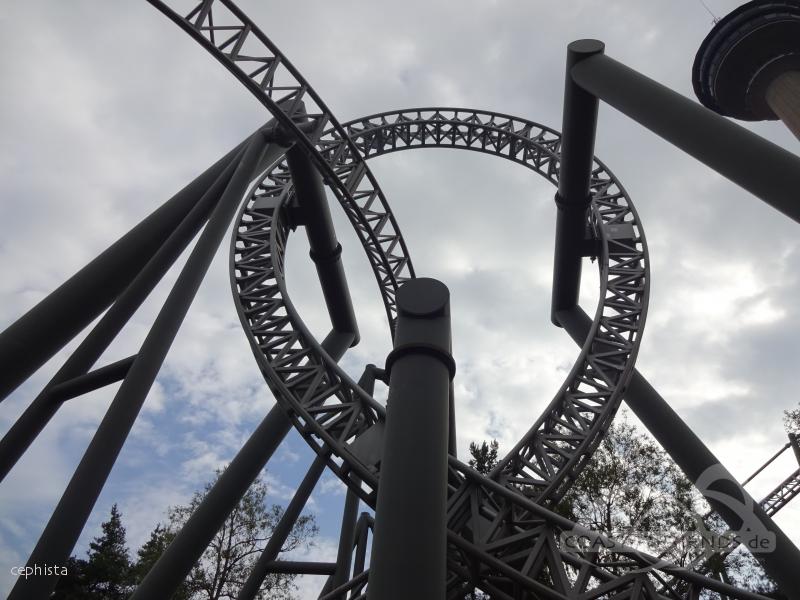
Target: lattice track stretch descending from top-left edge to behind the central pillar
234,40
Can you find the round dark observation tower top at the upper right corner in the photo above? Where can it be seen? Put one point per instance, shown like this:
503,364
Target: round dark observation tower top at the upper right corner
748,67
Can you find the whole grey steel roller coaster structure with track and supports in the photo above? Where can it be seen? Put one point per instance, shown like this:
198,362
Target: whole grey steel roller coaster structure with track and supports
437,528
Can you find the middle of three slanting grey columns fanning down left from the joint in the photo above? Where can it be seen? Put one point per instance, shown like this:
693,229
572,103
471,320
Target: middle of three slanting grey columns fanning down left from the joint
25,429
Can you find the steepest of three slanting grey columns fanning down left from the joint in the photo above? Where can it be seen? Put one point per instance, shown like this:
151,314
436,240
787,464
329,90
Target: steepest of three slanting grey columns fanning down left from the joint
69,516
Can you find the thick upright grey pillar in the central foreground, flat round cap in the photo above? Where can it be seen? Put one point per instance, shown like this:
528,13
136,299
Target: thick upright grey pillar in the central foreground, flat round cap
409,545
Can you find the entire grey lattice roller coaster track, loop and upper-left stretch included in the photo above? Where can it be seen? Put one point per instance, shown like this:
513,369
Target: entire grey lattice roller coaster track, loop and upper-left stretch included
502,537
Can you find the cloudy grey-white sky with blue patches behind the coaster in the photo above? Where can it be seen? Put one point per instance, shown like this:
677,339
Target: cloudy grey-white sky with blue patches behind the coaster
108,108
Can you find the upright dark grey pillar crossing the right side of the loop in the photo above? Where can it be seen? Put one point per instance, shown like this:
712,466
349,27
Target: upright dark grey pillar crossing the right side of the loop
572,198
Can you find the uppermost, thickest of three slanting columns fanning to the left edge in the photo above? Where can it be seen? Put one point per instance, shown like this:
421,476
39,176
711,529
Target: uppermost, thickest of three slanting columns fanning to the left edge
41,332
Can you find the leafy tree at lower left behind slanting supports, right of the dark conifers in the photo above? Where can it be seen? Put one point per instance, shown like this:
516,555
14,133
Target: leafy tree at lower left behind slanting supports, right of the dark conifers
227,561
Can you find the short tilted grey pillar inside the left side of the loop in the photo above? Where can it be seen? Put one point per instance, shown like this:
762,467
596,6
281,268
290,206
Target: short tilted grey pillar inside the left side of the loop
326,252
